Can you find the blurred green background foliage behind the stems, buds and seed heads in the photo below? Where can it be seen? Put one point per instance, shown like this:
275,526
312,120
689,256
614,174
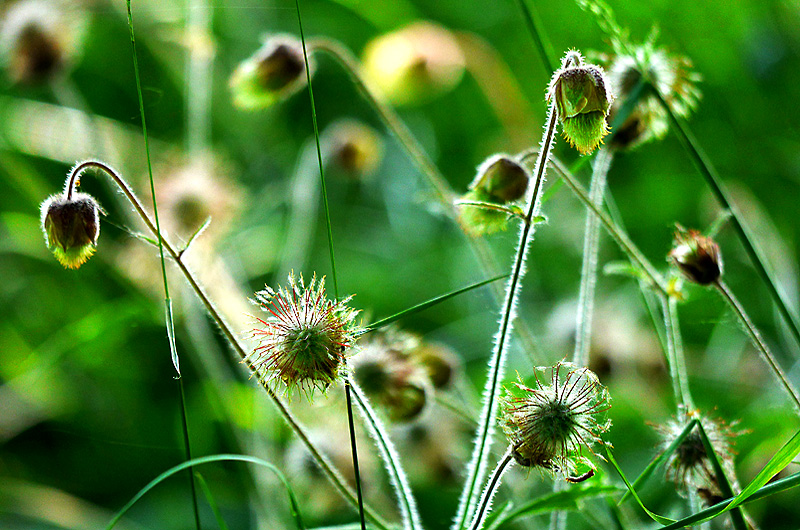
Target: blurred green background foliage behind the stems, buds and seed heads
89,407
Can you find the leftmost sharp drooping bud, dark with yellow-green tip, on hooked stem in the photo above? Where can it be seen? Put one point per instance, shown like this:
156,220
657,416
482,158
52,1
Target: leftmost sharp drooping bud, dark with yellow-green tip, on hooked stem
71,225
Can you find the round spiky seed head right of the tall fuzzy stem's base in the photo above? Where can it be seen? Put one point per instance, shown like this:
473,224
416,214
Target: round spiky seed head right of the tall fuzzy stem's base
550,425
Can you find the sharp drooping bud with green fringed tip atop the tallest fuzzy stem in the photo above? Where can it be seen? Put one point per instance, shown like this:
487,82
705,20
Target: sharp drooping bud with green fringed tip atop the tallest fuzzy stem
582,101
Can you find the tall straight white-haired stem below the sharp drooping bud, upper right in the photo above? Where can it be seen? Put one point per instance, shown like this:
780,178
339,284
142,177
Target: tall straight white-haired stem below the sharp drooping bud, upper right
477,465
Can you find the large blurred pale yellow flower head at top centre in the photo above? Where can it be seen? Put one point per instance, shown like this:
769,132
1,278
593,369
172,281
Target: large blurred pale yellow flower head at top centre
414,64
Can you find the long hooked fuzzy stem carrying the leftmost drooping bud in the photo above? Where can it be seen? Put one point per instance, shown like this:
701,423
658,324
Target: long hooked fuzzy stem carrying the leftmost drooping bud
327,468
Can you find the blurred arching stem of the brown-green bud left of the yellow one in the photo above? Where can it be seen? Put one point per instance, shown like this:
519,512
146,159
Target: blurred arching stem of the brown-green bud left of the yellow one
437,182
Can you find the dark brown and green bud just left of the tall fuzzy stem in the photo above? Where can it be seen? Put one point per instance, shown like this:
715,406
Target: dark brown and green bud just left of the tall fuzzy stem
500,180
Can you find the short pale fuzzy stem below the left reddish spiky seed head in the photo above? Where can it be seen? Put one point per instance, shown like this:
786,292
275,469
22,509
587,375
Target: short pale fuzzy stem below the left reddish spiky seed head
391,459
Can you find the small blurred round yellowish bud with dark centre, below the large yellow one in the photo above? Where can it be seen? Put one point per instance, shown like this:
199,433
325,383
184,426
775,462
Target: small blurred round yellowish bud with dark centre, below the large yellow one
355,149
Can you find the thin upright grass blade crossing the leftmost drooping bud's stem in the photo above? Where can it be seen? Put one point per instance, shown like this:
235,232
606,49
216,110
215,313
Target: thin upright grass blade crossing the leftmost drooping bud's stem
170,324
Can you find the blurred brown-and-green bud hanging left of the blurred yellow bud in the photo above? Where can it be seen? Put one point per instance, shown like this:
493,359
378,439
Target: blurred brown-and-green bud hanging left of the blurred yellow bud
273,73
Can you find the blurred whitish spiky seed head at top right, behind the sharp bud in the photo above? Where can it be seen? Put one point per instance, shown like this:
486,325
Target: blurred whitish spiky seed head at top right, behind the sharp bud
670,74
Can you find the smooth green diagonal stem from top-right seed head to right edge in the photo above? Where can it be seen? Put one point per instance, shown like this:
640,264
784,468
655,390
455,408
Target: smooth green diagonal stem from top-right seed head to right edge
703,164
